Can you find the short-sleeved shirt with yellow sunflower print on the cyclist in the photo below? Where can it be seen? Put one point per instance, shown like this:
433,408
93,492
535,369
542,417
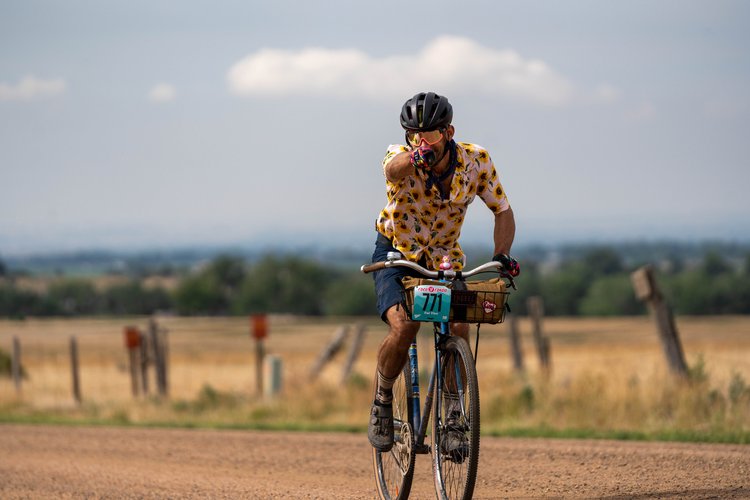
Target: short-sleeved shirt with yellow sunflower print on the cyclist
420,223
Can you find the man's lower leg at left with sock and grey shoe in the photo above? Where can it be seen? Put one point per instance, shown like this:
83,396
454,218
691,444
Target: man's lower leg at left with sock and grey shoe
392,356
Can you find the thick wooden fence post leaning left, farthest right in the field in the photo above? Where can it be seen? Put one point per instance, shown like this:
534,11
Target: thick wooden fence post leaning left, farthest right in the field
647,290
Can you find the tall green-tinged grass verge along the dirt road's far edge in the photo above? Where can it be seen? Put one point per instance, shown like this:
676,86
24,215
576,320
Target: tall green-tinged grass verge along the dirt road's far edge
590,406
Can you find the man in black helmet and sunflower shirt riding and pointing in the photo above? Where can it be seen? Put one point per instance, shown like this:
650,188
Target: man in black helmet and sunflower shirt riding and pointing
430,182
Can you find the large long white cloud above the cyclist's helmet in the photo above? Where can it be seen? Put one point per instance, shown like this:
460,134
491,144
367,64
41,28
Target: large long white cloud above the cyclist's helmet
448,64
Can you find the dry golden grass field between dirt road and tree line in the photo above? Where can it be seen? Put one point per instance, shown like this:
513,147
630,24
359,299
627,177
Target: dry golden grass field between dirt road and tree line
608,375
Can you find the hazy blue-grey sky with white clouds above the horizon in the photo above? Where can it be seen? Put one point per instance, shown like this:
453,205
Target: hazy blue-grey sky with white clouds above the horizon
154,124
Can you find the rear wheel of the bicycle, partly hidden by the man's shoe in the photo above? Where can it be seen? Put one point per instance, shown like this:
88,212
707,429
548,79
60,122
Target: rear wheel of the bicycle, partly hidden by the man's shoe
394,469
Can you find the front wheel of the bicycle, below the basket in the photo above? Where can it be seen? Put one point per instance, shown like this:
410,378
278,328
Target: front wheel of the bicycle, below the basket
455,469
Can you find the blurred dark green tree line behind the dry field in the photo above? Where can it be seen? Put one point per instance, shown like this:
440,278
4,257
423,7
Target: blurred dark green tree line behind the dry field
597,283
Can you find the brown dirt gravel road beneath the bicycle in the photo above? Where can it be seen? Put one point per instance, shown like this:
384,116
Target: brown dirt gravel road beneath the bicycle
106,462
